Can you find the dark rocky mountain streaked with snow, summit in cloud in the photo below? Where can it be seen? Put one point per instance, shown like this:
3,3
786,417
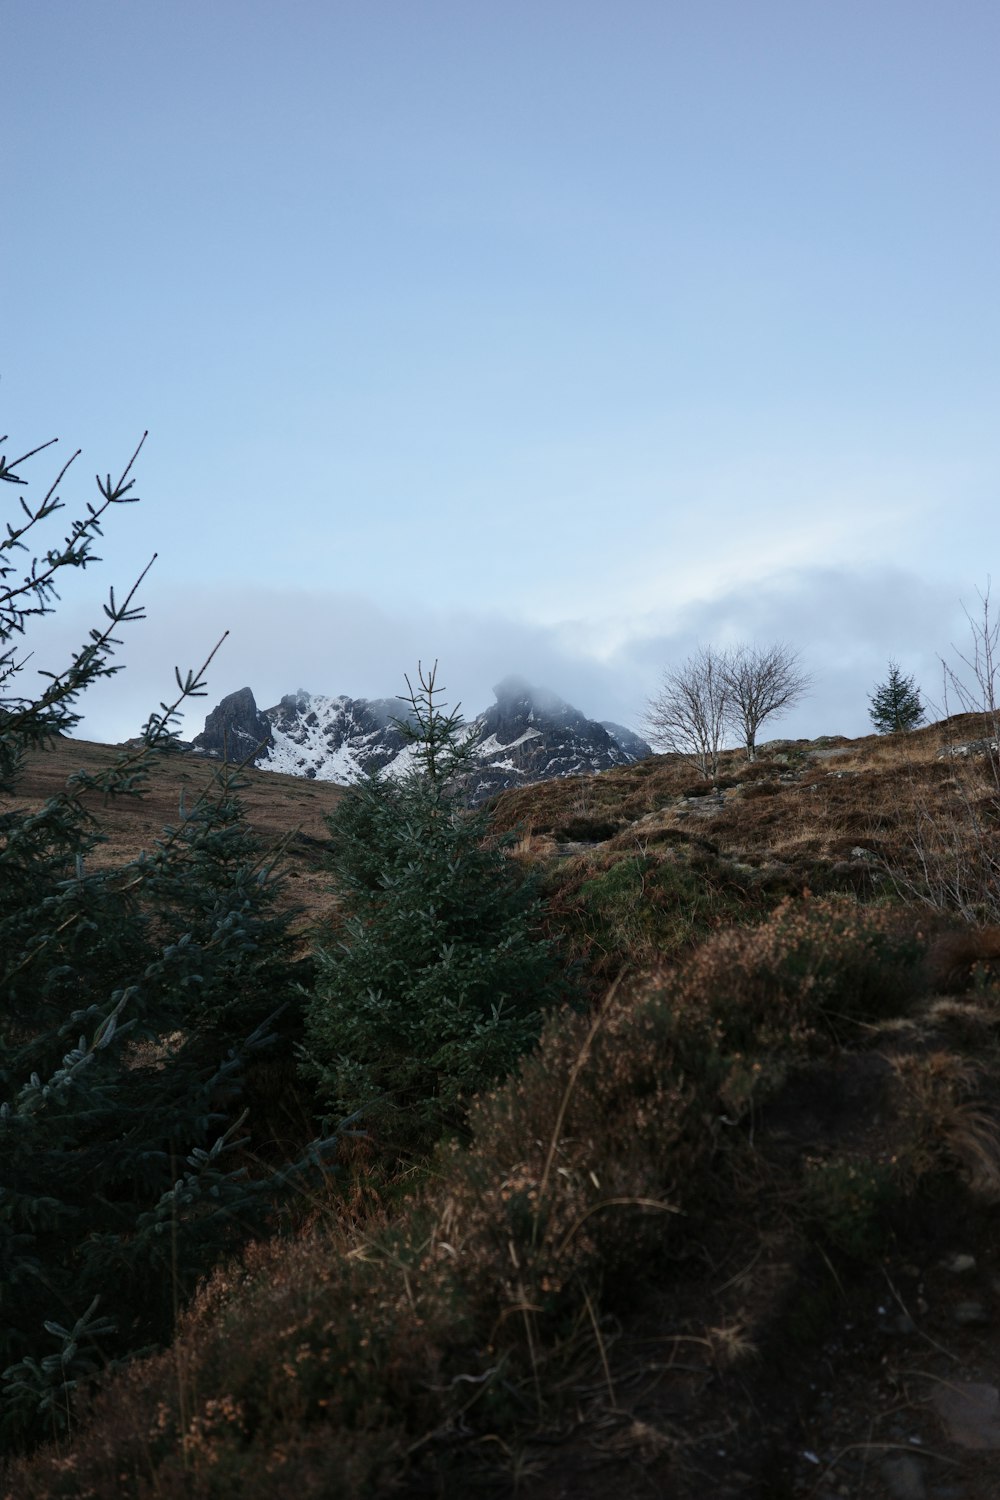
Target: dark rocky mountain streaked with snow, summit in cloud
527,736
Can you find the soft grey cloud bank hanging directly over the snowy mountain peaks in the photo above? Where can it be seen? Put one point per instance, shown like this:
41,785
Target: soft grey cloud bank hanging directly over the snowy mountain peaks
328,643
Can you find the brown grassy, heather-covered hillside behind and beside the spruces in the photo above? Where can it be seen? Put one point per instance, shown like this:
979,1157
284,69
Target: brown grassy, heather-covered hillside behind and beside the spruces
729,1231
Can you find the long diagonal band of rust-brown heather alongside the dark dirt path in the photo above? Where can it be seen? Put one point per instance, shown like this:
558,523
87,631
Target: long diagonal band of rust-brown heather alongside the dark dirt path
352,1366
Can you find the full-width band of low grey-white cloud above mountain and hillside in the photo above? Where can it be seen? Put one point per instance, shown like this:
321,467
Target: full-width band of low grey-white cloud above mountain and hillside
846,623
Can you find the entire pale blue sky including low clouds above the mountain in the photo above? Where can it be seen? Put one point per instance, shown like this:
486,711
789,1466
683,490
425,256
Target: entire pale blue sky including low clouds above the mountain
549,338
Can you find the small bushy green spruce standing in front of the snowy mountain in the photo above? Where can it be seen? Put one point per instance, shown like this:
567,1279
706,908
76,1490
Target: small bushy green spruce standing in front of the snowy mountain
440,977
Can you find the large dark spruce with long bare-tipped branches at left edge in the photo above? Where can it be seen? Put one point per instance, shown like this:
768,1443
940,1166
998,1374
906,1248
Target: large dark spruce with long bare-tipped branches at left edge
122,1019
